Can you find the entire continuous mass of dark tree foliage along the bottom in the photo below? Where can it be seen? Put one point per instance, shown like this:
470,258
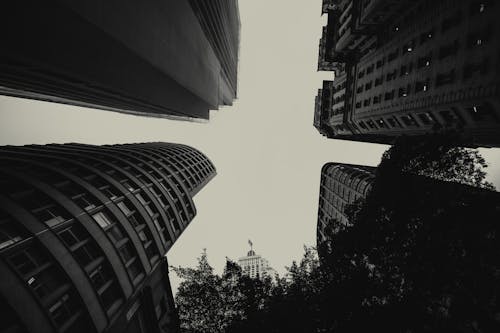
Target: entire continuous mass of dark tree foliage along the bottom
421,254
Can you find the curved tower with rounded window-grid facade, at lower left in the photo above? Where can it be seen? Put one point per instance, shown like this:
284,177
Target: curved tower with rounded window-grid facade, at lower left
84,231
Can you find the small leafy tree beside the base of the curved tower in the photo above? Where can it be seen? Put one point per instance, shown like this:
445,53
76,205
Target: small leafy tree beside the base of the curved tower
211,303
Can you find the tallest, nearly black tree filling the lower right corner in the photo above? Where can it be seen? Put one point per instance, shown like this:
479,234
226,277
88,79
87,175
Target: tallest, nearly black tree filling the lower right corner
421,254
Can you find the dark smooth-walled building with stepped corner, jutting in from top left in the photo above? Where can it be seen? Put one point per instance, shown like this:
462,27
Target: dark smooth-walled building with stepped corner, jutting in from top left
164,58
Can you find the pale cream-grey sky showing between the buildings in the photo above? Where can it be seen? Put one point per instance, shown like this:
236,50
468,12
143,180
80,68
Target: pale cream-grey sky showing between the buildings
267,153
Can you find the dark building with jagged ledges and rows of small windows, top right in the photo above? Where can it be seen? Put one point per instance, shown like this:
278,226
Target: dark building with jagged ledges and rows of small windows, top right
410,68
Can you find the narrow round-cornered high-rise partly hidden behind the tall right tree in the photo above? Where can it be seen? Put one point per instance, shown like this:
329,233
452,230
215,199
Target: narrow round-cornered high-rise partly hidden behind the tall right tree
340,185
